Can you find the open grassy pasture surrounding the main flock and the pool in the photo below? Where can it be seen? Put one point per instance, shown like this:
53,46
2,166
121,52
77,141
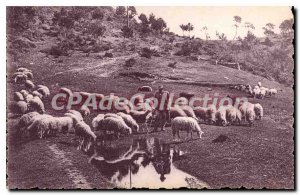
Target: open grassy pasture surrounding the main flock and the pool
257,157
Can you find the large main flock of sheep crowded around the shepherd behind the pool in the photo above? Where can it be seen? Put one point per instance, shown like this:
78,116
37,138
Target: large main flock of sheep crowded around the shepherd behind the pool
35,123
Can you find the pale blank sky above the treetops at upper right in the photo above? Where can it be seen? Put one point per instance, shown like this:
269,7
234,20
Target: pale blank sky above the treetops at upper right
219,18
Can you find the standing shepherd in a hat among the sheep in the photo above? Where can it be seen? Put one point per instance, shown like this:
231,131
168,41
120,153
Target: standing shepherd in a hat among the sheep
162,108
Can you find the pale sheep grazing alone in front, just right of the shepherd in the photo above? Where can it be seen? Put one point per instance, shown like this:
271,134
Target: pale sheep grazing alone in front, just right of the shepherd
187,124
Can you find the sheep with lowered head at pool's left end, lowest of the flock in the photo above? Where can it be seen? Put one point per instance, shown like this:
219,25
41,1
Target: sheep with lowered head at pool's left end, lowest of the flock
87,136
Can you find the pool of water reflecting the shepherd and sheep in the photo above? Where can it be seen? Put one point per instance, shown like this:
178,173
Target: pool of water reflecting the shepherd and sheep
143,163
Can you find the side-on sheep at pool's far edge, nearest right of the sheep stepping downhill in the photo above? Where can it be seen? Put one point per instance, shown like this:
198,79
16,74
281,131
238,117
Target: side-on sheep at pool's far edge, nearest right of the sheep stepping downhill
115,125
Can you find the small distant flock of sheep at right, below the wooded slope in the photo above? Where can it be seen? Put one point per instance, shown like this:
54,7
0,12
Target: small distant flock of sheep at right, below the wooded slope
258,91
